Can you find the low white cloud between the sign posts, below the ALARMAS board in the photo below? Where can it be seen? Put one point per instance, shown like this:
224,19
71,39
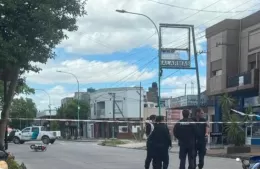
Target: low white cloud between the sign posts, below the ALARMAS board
177,84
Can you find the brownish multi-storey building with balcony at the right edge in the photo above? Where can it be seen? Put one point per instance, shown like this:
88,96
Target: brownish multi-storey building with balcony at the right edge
233,61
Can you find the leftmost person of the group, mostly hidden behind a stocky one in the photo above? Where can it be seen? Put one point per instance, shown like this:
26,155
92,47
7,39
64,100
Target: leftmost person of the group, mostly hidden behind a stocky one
149,127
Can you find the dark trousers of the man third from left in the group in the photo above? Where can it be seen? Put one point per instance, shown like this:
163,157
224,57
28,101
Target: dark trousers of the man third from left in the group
184,151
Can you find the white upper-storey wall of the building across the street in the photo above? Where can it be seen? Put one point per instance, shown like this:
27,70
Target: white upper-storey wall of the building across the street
130,102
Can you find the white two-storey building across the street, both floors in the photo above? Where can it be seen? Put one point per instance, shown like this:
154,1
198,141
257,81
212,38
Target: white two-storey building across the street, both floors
121,104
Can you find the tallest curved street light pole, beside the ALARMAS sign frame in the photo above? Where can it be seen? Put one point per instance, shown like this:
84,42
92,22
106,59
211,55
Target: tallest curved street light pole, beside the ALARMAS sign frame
159,56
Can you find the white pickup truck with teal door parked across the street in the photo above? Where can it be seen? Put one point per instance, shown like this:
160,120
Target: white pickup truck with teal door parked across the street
34,133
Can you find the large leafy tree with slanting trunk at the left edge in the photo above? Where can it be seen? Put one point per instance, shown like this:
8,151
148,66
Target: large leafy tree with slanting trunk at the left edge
29,32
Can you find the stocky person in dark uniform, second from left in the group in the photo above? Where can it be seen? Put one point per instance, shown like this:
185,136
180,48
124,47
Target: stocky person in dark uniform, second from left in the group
160,142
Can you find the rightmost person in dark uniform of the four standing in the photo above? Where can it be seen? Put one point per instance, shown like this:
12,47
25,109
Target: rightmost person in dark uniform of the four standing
201,137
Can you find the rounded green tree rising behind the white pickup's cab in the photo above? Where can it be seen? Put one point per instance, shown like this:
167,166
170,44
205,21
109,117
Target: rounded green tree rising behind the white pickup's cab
22,108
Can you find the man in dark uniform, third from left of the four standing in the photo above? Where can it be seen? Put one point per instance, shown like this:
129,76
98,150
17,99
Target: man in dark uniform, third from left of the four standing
185,132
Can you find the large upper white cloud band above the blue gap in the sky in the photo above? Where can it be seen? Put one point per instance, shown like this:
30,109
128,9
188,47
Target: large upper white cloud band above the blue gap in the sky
104,31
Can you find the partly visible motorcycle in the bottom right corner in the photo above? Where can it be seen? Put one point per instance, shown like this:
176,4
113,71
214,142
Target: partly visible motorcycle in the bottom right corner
251,163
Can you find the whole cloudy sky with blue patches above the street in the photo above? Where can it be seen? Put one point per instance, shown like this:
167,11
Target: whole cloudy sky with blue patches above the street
111,49
